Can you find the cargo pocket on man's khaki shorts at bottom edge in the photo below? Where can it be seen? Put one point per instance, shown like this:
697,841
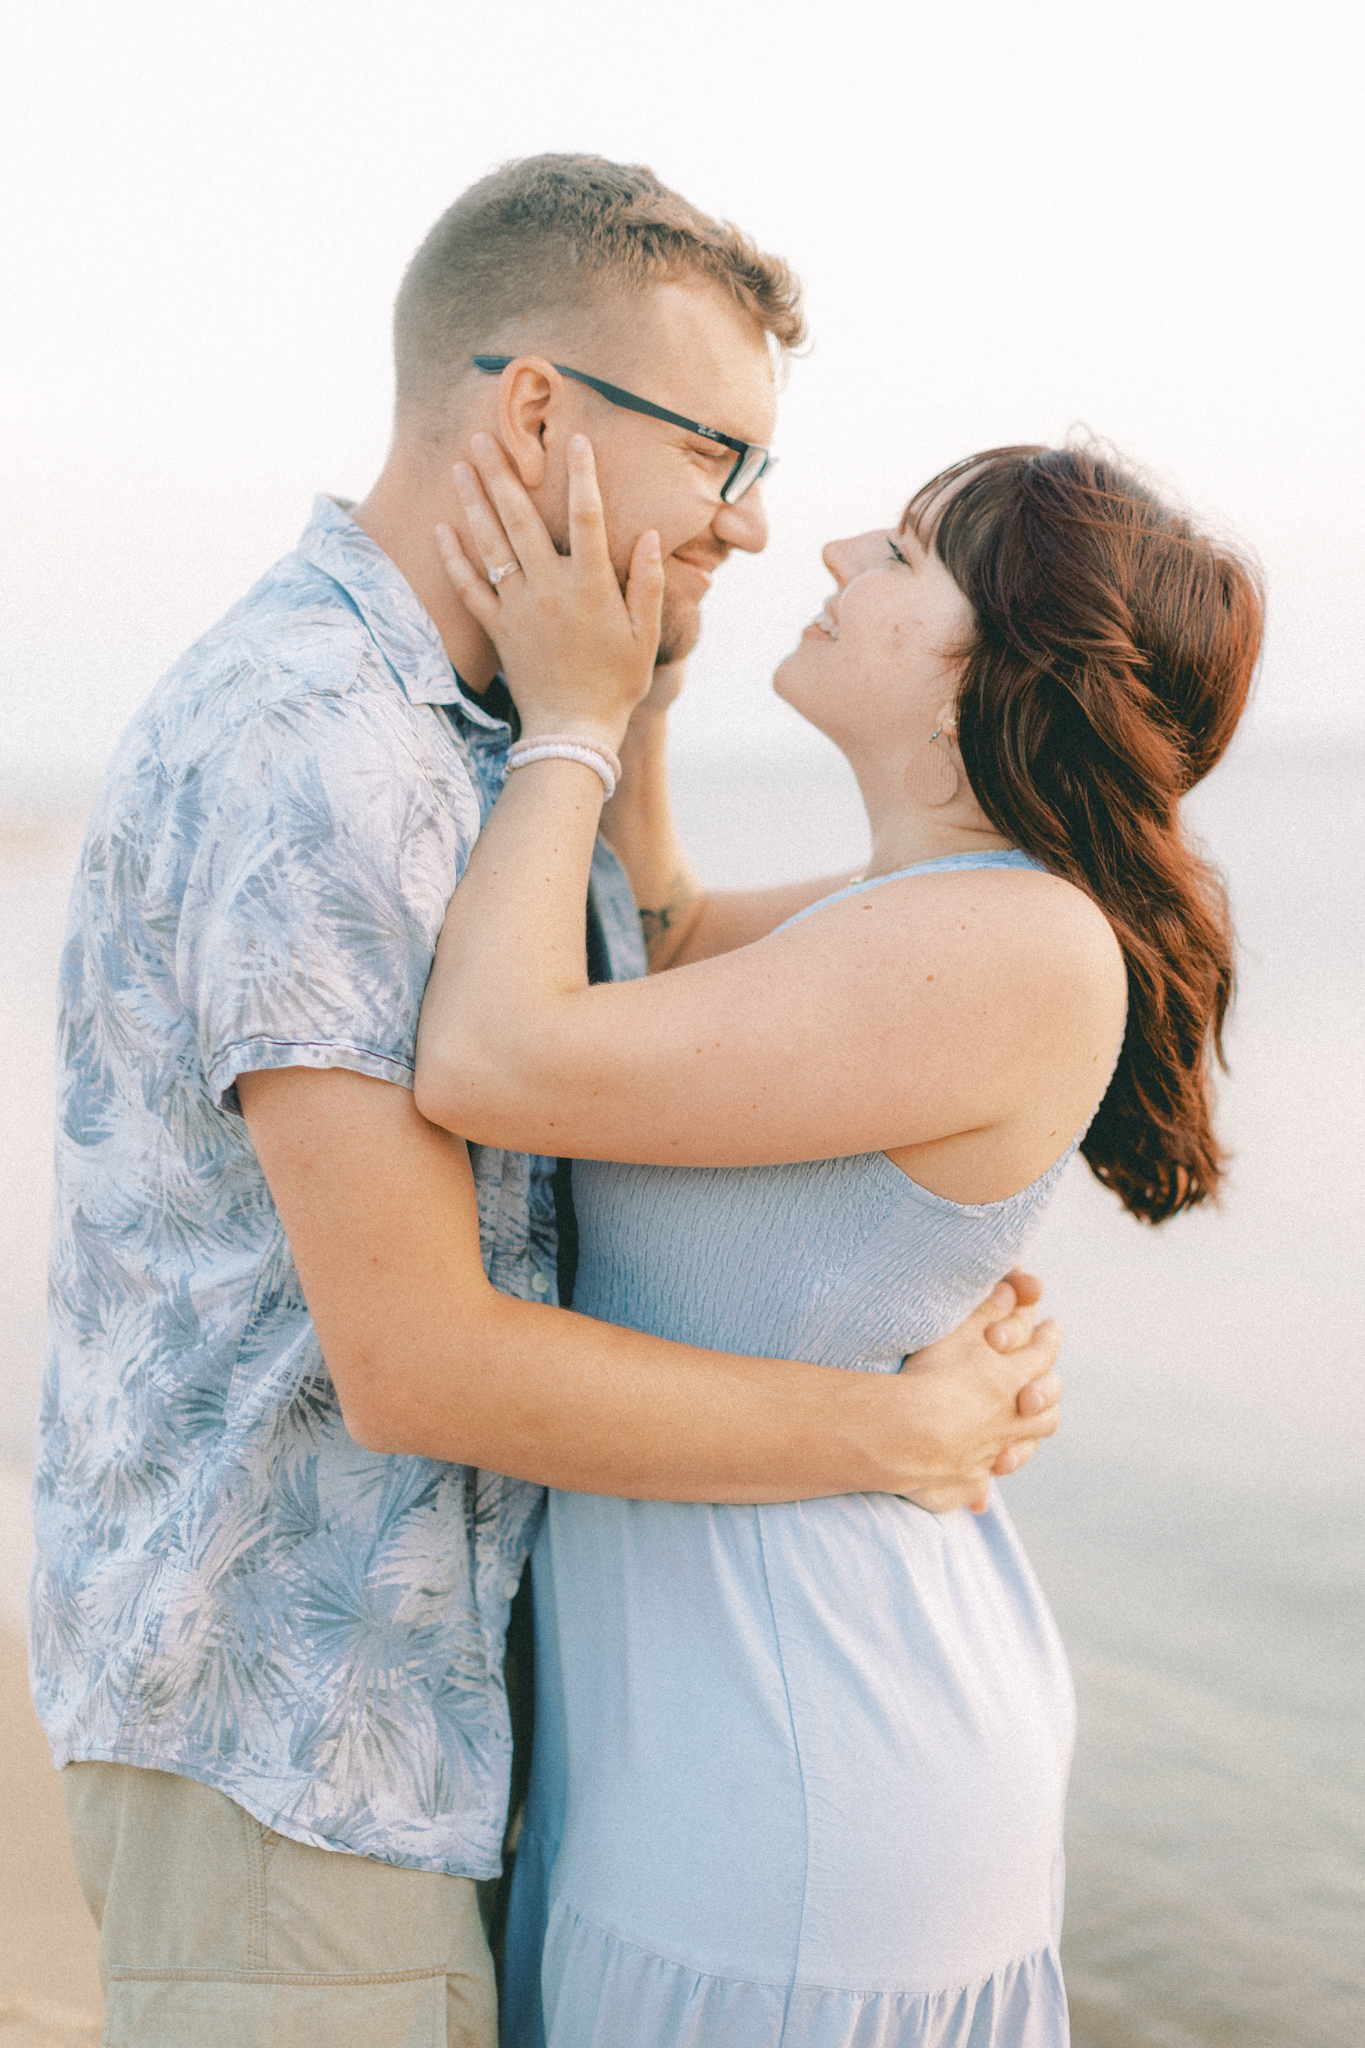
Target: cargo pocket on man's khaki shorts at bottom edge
275,2010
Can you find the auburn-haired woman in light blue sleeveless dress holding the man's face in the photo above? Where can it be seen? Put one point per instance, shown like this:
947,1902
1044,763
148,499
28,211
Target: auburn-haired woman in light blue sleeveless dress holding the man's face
799,1770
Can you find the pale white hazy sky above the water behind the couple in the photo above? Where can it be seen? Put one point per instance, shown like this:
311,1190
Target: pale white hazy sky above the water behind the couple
1010,220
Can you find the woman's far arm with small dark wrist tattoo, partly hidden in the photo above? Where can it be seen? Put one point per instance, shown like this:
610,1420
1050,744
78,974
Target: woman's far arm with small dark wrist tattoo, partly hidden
682,921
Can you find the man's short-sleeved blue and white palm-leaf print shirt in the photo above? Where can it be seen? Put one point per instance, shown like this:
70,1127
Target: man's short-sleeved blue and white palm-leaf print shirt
226,1584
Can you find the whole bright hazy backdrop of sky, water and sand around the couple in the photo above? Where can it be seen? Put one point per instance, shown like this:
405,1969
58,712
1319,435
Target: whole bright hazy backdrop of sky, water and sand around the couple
1010,220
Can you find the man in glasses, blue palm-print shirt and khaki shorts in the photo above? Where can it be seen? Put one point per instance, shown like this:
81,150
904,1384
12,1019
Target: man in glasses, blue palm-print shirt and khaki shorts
298,1332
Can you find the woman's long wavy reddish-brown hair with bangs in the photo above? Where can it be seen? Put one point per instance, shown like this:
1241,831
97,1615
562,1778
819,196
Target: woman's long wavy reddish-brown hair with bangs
1112,663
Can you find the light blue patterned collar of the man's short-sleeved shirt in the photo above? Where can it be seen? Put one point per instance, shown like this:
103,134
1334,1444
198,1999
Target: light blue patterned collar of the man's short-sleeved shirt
398,624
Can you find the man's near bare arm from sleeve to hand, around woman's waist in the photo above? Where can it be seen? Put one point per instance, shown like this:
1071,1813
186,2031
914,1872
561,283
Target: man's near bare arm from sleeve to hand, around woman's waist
429,1361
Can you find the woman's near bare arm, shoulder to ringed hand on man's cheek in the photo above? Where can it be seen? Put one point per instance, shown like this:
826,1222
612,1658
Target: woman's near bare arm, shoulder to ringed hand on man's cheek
924,1011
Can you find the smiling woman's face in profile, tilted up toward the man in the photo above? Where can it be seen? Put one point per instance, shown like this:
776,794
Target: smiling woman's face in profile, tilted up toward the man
883,658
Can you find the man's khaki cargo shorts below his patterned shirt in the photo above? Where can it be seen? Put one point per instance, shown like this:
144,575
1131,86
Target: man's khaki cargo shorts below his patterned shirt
220,1934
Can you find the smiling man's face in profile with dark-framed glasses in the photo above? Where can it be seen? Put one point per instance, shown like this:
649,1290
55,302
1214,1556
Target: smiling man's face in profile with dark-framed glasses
691,349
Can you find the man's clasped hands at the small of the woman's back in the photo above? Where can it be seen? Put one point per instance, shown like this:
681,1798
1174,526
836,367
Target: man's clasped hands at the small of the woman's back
992,1392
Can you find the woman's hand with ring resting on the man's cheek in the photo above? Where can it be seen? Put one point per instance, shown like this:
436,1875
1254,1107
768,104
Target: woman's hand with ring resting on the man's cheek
578,652
